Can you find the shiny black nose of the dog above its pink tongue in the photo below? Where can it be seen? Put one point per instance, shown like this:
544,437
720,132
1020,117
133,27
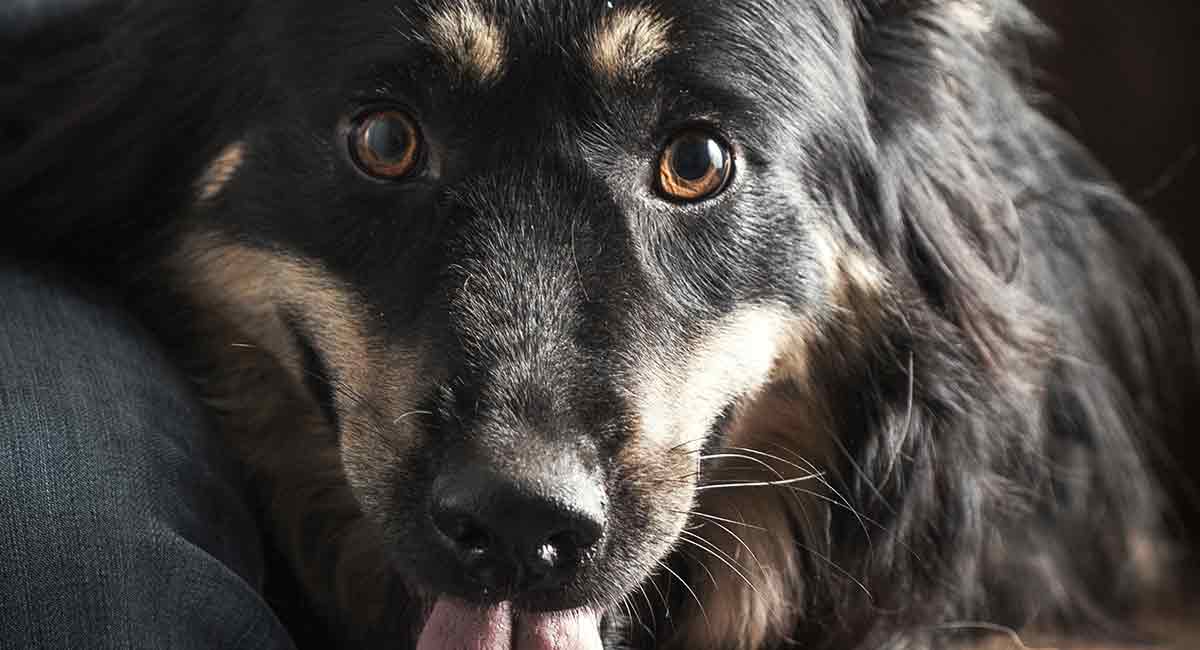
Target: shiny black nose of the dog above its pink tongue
517,535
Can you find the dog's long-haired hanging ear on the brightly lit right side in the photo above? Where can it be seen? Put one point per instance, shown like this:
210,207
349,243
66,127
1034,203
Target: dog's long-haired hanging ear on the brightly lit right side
944,100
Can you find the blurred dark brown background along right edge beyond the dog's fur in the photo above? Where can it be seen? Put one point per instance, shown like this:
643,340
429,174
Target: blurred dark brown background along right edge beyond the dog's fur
1125,77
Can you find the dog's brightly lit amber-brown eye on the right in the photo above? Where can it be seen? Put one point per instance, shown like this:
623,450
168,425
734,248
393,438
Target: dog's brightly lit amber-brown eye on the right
694,167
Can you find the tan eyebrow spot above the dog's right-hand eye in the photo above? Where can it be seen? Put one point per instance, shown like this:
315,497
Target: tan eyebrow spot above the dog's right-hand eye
628,43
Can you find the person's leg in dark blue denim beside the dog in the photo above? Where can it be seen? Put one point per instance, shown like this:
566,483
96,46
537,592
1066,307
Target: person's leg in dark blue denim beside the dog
122,522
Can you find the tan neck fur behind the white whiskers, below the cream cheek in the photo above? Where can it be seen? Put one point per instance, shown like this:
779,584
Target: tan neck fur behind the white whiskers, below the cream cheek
779,434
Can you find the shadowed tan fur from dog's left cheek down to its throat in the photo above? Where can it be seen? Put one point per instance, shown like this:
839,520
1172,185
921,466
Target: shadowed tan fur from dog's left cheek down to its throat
257,386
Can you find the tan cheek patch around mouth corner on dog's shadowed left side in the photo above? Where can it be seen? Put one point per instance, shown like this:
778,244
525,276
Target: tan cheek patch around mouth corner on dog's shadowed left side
278,299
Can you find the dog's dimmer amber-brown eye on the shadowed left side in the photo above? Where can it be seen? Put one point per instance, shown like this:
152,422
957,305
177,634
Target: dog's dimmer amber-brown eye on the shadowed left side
387,145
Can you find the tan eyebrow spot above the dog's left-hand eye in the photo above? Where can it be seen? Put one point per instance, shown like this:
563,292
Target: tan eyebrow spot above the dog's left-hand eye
471,41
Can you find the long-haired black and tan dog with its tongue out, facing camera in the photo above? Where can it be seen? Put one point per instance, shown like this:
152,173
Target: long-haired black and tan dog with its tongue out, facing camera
634,323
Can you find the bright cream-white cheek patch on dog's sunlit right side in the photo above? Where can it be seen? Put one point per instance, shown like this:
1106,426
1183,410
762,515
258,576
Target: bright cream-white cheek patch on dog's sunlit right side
677,399
